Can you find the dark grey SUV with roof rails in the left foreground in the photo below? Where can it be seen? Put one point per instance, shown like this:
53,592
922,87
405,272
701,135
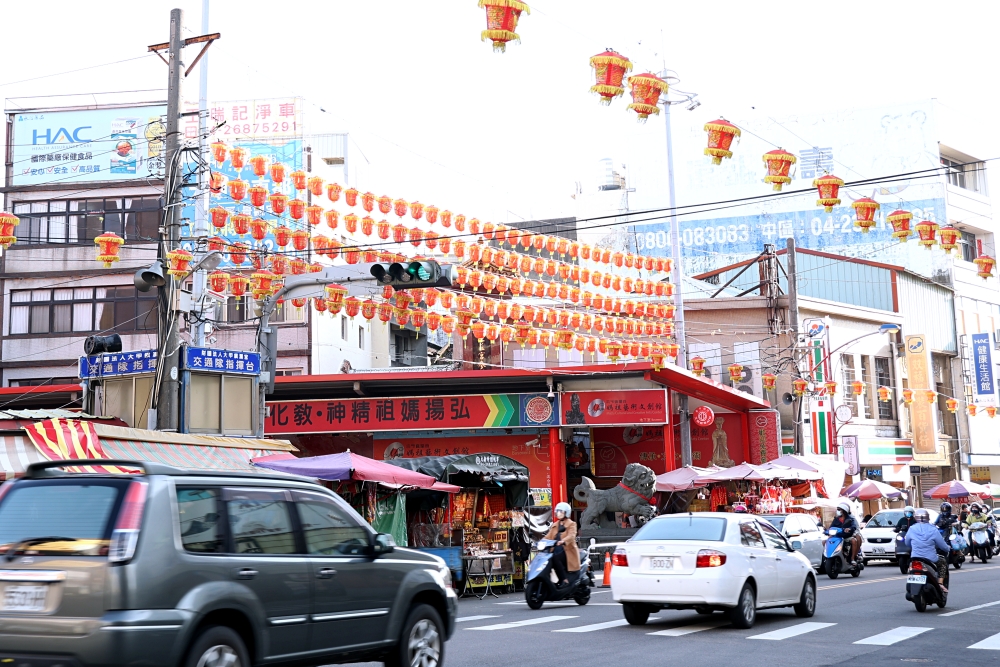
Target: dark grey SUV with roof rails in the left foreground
207,569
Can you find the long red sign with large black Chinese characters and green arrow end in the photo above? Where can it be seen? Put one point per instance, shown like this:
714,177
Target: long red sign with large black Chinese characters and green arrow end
400,414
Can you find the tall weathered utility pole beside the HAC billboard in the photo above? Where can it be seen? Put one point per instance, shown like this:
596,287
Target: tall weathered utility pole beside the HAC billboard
167,408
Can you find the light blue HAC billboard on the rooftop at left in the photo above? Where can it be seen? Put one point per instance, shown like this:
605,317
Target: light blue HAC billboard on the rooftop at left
89,145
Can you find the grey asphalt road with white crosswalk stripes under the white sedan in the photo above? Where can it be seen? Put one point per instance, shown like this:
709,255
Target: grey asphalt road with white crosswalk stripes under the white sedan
864,621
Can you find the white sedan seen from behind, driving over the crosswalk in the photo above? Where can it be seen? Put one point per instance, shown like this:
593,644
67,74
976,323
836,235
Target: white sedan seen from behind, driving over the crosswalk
735,563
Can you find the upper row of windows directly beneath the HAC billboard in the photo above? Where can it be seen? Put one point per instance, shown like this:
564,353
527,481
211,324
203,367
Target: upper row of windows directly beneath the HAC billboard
137,220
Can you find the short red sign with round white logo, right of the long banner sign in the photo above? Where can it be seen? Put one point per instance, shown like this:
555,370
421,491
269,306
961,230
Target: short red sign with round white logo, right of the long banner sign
607,408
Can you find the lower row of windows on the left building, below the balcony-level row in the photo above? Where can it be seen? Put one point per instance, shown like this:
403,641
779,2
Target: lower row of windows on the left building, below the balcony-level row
81,310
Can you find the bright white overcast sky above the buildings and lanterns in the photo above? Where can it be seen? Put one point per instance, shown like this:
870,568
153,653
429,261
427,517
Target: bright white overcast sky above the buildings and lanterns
441,118
